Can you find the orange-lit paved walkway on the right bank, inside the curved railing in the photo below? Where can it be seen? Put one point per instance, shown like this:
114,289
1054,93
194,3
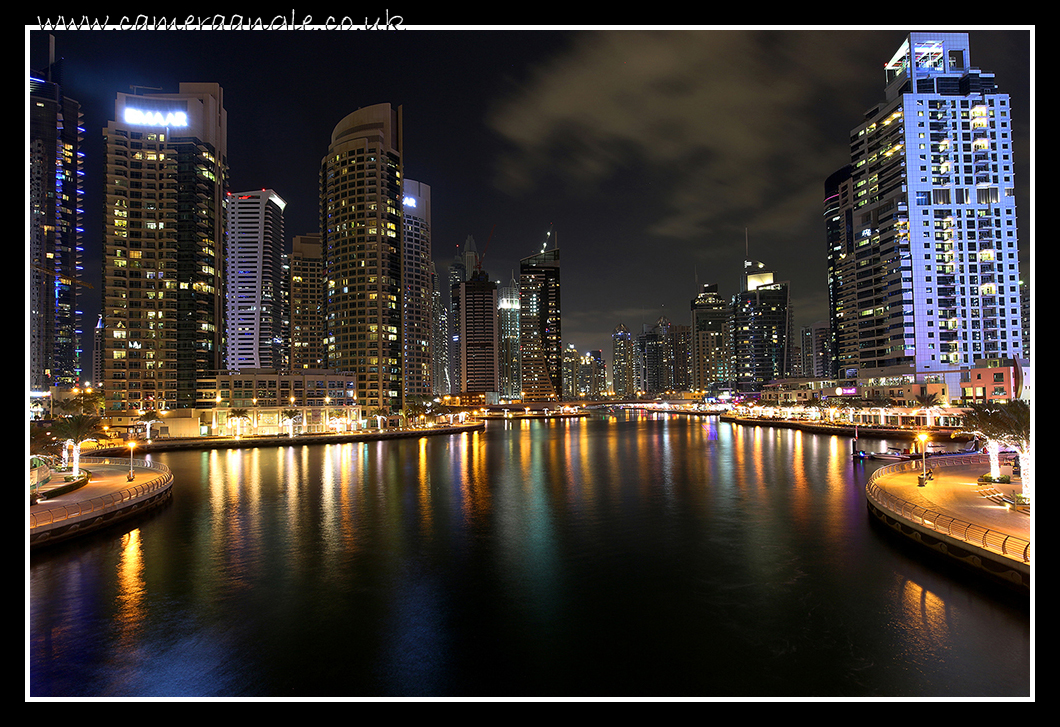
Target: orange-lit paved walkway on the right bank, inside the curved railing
956,491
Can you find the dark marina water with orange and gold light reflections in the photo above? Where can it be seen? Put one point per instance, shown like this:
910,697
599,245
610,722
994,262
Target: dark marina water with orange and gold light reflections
639,556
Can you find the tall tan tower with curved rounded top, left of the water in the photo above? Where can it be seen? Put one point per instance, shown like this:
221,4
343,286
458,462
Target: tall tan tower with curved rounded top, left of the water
361,224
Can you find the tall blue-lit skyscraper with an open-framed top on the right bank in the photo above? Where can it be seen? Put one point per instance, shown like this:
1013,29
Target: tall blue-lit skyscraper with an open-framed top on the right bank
933,280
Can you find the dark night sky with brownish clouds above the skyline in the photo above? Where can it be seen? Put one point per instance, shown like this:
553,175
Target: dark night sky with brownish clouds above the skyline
655,156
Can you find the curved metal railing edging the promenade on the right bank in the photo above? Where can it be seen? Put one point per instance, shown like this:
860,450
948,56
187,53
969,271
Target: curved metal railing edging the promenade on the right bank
1010,546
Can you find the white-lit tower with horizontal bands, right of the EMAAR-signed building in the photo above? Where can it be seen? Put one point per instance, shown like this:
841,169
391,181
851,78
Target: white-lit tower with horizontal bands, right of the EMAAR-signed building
255,274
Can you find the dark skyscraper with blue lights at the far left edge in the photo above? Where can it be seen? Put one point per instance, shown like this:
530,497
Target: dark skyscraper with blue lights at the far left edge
57,186
